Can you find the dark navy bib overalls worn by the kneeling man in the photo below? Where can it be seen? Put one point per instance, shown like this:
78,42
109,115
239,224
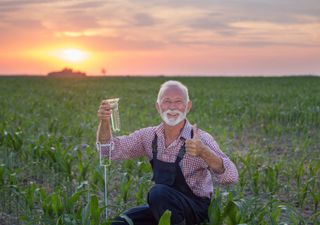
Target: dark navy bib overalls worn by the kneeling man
171,192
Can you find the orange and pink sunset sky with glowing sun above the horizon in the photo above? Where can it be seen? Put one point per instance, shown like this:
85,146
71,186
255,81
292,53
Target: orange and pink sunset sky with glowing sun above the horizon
171,37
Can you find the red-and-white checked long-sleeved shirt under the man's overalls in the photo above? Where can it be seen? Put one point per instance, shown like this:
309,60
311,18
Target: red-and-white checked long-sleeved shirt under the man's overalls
195,170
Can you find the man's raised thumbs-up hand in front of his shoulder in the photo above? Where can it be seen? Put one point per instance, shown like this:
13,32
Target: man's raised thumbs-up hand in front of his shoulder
194,146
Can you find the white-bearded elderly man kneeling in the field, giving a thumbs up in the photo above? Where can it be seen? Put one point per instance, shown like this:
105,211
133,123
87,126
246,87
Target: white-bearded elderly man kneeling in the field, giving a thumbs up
183,159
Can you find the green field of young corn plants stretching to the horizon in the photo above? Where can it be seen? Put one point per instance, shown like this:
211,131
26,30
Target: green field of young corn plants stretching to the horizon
49,167
